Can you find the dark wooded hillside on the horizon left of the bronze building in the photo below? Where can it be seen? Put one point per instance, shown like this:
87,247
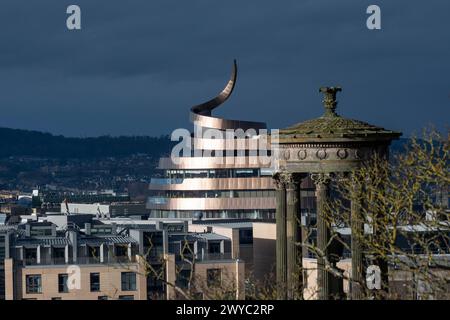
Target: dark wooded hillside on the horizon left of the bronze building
15,142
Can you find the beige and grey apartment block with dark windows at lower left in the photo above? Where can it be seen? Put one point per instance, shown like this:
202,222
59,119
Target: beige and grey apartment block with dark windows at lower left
81,258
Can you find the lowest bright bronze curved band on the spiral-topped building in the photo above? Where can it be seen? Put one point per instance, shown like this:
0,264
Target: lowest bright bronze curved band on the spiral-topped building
210,203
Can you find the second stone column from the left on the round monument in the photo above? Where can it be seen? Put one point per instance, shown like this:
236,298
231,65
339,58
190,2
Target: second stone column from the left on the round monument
293,237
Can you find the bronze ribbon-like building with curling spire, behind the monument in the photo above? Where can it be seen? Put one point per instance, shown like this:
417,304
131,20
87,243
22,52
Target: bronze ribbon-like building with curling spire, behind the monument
222,176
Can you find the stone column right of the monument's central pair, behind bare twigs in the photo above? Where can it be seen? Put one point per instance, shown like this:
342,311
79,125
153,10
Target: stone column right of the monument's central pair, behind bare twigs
357,227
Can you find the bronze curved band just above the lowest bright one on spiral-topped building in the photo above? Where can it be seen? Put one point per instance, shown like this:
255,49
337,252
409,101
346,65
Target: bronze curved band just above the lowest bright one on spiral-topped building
192,184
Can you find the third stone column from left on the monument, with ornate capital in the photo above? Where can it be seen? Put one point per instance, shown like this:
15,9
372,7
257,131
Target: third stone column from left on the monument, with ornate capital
323,235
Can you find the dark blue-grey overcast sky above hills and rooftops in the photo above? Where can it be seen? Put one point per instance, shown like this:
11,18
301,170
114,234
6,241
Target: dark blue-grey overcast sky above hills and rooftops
137,66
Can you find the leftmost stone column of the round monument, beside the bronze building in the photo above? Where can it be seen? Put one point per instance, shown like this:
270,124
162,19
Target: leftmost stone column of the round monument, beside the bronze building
281,254
